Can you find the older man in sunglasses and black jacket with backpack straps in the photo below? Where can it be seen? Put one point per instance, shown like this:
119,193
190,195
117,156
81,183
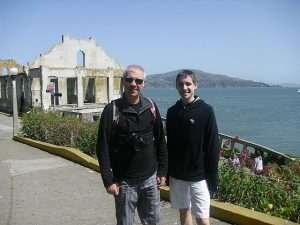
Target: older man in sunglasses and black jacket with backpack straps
132,153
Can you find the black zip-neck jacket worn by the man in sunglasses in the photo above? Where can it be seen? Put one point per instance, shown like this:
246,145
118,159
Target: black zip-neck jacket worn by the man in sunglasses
119,155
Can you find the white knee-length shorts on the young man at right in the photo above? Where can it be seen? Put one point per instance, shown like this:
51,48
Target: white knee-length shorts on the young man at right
194,195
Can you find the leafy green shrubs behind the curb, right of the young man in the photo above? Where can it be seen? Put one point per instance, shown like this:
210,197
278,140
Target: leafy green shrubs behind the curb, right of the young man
240,186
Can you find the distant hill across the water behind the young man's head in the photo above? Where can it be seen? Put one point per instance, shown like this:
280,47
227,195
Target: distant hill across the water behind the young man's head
204,80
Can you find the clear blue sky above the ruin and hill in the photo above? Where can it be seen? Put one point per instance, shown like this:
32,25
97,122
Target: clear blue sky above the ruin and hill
257,40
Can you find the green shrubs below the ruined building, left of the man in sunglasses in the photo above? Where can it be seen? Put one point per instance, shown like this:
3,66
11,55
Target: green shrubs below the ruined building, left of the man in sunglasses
51,127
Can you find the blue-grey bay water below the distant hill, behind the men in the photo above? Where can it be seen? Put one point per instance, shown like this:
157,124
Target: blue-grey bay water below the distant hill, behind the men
266,116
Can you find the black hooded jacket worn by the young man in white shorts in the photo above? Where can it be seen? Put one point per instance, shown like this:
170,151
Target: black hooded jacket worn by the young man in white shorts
193,143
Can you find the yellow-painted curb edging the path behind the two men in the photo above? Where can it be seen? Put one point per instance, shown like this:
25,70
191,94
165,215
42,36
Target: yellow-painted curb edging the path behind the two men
223,211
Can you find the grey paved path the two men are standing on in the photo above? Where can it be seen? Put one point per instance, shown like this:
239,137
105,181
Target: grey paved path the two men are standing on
37,188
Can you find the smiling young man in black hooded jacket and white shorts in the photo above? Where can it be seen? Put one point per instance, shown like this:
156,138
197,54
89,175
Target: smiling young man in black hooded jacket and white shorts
193,150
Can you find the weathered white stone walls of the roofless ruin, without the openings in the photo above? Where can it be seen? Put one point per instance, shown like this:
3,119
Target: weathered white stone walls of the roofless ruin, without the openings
60,63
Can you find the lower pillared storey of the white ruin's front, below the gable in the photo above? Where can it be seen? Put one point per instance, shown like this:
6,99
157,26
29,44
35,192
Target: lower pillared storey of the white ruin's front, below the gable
67,85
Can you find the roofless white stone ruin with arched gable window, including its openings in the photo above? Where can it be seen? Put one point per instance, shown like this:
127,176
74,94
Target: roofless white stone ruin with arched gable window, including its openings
78,74
